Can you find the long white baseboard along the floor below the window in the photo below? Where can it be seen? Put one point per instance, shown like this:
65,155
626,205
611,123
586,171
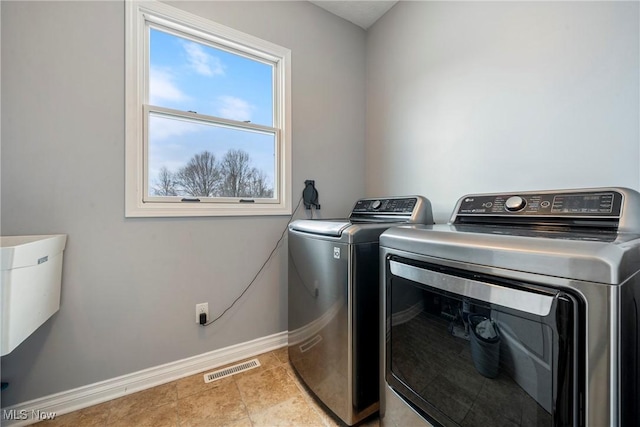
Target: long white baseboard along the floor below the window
92,394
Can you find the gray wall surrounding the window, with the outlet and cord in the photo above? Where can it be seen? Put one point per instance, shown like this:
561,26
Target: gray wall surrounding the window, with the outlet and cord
130,286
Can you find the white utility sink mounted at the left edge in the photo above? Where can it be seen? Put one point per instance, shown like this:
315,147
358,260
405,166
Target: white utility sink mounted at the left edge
29,284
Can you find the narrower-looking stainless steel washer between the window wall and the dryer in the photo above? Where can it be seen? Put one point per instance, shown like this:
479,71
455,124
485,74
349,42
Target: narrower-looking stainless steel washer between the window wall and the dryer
334,305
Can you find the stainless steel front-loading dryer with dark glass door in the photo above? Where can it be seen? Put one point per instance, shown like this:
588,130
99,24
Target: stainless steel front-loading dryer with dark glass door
522,310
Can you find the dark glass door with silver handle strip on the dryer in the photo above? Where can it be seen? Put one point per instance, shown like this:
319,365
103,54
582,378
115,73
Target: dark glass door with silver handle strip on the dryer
466,350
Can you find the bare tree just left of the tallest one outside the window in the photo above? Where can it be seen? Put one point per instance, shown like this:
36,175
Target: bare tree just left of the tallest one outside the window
200,176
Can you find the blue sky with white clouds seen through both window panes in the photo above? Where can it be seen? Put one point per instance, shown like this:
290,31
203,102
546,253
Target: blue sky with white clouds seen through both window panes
189,76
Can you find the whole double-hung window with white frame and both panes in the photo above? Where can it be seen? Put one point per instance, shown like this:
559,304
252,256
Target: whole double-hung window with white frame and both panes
207,118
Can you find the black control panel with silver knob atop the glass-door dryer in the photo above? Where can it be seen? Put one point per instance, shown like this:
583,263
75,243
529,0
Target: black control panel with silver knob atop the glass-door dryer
557,204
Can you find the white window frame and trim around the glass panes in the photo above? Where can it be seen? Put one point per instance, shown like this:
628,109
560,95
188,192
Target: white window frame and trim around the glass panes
137,204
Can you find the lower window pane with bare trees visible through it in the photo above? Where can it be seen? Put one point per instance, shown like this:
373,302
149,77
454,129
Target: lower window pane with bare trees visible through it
188,158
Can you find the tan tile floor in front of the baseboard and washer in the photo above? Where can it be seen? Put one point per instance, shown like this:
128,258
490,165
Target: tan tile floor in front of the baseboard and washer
270,395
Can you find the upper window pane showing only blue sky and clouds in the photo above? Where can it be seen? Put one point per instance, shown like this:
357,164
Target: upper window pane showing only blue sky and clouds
189,76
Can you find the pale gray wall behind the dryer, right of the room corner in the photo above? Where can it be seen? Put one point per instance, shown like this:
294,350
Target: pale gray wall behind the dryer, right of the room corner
466,97
